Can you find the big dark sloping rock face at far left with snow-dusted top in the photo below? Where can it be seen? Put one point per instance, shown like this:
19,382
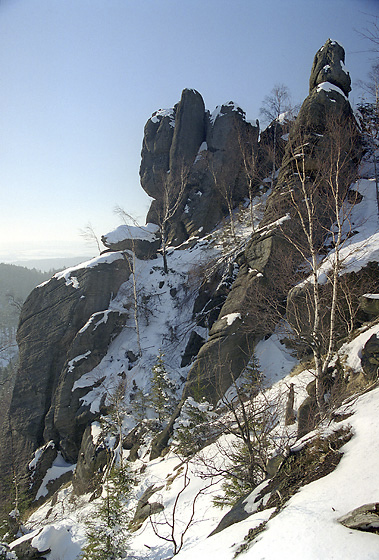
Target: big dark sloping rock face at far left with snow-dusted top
60,321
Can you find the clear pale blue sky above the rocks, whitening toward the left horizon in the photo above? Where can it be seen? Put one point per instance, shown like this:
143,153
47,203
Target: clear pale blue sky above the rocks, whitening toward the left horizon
80,78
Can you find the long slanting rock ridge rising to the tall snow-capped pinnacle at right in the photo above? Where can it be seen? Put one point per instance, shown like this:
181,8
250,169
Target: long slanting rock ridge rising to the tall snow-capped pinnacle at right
231,343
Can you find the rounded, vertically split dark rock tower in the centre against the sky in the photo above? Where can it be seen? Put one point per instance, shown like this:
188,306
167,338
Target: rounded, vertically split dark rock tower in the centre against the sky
189,144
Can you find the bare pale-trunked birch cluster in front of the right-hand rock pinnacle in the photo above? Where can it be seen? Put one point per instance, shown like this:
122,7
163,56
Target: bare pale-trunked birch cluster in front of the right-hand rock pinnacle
317,197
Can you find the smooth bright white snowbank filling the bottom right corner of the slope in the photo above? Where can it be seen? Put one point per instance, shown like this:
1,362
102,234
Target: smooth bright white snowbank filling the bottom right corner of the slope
307,527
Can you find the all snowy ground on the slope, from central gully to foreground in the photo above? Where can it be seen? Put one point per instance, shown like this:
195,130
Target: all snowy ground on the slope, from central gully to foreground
307,527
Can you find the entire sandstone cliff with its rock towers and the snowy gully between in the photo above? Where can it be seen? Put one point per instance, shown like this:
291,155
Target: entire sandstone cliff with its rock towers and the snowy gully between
209,312
